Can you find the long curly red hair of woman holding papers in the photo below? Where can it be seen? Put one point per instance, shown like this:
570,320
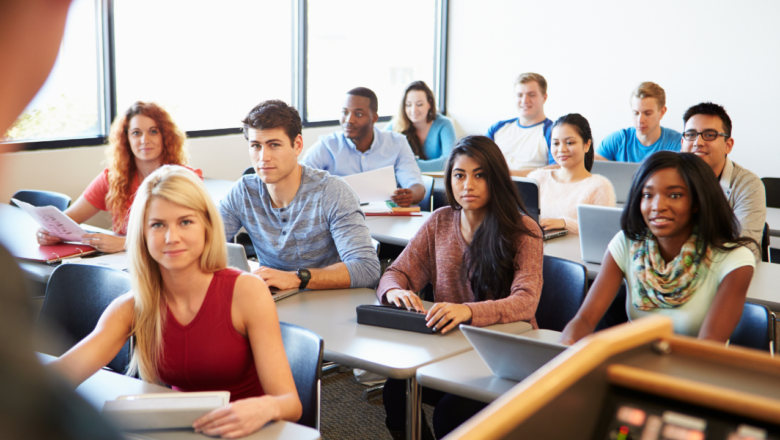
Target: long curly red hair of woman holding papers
121,163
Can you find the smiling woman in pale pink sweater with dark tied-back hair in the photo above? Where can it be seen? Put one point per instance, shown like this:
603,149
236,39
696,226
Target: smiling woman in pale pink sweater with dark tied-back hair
562,189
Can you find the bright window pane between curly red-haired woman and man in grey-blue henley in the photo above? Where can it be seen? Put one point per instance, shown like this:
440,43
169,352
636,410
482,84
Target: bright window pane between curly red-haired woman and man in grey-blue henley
207,63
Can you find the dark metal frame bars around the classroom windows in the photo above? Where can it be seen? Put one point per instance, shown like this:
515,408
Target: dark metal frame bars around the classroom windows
107,79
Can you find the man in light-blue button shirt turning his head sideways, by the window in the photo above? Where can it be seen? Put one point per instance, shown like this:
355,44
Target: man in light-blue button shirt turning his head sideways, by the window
361,147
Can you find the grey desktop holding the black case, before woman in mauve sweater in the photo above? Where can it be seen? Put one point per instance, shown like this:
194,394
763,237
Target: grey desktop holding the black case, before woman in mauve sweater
393,353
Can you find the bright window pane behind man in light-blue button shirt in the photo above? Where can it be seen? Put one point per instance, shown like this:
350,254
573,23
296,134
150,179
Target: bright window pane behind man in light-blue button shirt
353,43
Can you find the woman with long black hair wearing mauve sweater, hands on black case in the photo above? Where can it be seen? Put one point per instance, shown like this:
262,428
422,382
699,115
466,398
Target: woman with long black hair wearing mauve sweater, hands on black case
483,255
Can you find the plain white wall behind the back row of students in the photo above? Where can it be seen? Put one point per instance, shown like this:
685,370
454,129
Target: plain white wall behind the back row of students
593,53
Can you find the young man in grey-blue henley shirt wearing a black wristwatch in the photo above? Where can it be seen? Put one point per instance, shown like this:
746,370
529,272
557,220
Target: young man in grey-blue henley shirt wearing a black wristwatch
306,225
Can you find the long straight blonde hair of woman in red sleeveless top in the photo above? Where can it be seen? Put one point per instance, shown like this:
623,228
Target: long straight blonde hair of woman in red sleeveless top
181,186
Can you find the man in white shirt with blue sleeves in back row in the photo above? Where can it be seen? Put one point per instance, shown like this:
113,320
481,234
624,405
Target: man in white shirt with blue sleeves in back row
525,140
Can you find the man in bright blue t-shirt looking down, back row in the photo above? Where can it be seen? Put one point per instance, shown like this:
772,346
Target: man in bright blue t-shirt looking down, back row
648,106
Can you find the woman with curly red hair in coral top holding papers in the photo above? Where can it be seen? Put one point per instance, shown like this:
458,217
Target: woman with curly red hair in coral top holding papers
142,139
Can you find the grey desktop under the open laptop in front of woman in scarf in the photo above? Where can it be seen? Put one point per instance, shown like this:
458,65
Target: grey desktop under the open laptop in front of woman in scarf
467,374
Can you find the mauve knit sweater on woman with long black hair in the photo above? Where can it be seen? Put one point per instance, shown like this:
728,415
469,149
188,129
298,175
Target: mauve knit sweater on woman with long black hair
437,255
